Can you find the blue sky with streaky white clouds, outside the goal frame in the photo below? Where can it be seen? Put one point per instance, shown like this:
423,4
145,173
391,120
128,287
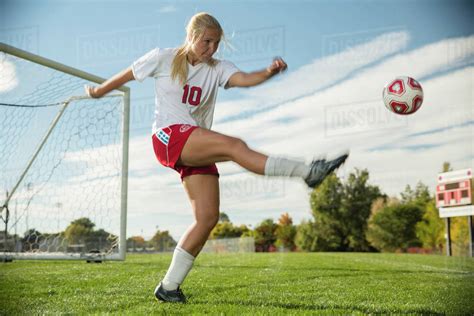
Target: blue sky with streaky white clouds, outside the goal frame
330,47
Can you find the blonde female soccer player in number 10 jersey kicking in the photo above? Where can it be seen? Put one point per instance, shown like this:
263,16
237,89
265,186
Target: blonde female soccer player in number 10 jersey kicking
186,83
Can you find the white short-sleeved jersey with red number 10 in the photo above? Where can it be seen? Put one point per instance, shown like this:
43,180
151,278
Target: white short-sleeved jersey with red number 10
174,104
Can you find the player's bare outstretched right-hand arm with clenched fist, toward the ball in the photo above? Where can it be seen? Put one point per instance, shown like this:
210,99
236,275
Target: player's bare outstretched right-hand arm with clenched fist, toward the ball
242,79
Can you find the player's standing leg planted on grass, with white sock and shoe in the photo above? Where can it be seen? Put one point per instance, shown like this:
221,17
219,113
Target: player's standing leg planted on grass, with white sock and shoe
203,193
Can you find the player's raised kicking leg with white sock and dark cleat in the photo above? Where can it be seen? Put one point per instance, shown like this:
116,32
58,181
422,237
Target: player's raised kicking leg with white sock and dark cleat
205,147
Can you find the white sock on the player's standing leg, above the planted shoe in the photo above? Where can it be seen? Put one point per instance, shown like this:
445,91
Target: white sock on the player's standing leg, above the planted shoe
181,264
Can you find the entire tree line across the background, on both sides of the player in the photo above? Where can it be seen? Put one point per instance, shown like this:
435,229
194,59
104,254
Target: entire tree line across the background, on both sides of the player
350,215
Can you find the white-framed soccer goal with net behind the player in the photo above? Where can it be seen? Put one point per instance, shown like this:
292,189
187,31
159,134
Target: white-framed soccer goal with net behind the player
63,162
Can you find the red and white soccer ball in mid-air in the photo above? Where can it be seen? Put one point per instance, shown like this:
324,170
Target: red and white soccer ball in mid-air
403,95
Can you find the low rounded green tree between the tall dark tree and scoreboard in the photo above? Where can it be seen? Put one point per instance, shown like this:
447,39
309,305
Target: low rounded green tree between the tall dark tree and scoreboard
393,227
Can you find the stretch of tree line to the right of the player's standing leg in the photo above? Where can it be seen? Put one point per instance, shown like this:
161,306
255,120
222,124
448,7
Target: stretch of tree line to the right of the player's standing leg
354,215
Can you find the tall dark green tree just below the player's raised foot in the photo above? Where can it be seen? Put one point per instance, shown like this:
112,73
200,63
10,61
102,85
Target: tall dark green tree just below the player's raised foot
341,212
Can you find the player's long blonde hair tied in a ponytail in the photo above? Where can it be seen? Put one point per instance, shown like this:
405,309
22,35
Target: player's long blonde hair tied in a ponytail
194,31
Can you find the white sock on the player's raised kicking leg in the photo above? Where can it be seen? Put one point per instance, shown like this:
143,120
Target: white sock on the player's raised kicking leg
276,166
